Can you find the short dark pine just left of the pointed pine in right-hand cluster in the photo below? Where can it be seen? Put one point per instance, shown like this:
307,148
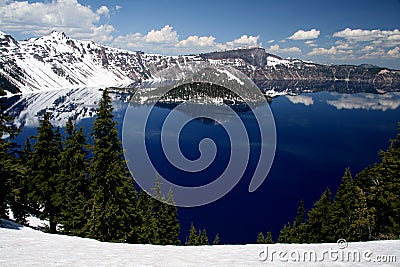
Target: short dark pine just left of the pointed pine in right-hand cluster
318,224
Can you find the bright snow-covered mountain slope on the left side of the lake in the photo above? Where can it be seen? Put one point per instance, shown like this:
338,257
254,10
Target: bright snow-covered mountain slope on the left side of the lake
56,61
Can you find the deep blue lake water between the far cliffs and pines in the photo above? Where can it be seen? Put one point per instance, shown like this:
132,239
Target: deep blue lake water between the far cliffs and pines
317,138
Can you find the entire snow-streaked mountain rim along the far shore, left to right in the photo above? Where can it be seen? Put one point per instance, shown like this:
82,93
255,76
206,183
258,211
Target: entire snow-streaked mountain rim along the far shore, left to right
56,61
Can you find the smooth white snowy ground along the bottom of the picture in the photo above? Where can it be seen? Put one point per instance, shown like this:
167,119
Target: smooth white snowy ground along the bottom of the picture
23,246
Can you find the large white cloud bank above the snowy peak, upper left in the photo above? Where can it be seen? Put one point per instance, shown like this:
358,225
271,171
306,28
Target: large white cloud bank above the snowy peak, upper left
69,16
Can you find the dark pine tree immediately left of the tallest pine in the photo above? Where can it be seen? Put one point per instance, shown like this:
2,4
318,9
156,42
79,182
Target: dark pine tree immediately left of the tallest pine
74,182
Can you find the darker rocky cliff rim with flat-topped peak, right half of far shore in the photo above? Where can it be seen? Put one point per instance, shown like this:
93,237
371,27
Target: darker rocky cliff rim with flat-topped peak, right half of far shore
266,69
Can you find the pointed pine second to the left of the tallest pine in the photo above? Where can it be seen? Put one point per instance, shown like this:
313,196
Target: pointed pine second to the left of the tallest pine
45,172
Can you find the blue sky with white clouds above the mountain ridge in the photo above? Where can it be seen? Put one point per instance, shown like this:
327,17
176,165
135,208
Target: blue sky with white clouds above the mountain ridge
339,31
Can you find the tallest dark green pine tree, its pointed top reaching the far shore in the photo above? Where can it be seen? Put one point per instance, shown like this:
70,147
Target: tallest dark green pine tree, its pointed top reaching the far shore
113,195
